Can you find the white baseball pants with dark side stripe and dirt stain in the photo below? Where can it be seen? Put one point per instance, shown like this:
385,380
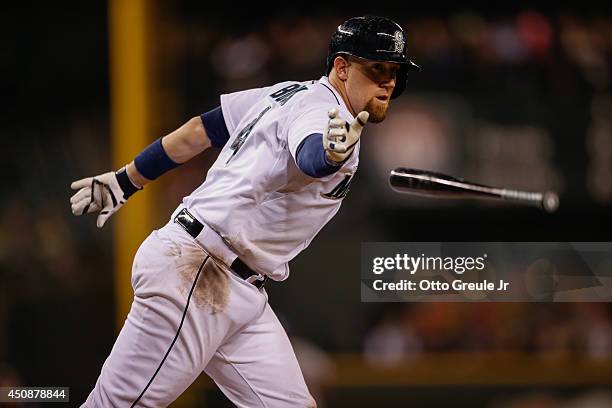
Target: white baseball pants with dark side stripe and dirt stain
191,314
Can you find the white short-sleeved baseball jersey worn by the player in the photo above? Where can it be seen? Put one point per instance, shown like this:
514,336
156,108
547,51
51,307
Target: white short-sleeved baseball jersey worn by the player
255,196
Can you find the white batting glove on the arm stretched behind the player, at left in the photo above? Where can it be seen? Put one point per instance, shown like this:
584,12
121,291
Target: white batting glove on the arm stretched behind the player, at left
102,193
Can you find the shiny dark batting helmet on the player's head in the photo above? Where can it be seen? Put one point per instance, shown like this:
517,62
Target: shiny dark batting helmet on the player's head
376,39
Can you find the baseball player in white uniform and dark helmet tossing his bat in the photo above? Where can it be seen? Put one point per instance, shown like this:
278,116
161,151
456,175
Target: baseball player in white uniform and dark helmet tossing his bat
289,154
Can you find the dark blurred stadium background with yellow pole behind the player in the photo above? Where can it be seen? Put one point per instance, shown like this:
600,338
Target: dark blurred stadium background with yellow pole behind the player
513,95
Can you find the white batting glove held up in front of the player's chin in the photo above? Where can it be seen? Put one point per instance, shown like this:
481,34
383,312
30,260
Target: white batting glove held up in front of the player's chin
339,138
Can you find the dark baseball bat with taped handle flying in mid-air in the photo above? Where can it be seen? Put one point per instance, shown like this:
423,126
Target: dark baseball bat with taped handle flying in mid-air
430,184
